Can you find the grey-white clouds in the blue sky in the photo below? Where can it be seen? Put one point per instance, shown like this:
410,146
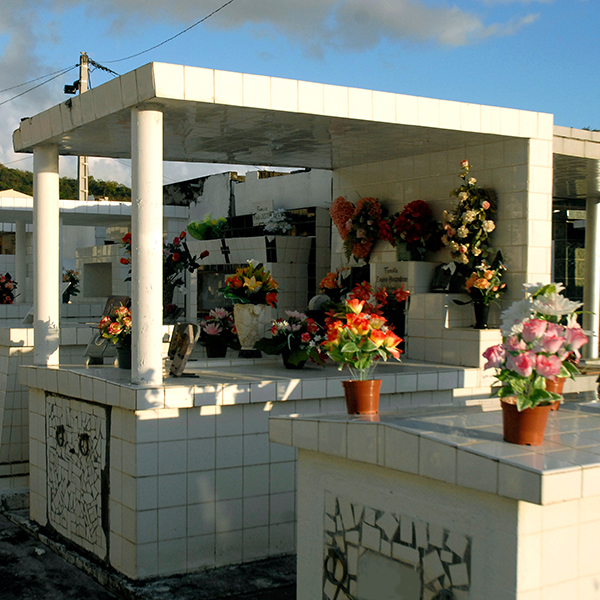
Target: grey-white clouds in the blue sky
28,29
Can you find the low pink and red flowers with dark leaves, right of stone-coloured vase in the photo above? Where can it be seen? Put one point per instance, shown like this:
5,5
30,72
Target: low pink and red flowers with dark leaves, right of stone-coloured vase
296,338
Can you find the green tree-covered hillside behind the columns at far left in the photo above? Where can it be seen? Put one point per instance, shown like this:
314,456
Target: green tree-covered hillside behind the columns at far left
22,181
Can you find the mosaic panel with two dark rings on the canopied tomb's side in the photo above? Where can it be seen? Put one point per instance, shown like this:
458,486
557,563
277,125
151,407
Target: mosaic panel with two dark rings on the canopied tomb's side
76,434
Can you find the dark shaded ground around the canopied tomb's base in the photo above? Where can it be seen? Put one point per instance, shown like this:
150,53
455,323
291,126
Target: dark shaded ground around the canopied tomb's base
34,566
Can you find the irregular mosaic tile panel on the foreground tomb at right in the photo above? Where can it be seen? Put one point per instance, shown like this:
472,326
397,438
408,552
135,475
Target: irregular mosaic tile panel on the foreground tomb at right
371,554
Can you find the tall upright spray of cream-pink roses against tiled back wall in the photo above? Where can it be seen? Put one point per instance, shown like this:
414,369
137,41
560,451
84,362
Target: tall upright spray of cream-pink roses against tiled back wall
467,228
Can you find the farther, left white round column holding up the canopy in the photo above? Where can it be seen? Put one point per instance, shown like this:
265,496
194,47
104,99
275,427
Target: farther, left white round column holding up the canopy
46,268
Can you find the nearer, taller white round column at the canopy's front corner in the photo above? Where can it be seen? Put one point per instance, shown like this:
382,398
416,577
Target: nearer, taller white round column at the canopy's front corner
147,244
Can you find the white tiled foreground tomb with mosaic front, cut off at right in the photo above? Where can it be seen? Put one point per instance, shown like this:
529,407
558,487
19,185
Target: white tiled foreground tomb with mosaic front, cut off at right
432,500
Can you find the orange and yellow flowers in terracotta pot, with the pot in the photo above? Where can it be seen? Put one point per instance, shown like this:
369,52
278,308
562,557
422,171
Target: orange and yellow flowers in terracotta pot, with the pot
359,340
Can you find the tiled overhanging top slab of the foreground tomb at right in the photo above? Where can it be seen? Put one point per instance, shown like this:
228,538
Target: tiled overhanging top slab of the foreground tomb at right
464,446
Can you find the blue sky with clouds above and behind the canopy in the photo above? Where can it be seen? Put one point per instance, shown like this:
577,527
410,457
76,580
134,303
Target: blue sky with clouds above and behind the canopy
539,55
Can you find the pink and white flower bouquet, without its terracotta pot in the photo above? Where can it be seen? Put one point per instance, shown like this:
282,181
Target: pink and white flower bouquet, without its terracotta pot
536,346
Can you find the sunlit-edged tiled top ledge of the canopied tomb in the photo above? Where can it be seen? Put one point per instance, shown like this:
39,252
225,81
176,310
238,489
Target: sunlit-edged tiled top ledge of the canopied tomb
235,381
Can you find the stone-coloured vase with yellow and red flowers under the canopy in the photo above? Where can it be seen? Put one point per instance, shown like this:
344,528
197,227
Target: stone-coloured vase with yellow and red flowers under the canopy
252,290
